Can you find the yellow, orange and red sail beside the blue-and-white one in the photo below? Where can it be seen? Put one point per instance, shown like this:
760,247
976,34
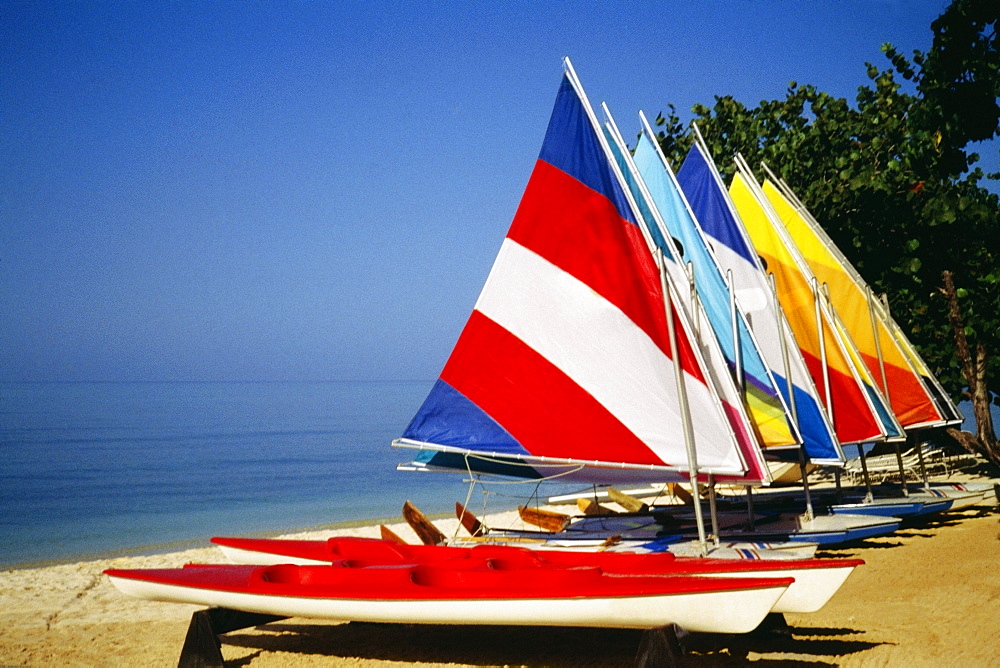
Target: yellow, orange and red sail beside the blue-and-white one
842,391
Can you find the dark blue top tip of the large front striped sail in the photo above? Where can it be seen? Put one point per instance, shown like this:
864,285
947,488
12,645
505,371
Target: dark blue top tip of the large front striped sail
572,146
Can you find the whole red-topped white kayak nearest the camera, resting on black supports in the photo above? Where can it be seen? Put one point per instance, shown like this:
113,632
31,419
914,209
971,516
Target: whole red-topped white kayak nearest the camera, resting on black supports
470,590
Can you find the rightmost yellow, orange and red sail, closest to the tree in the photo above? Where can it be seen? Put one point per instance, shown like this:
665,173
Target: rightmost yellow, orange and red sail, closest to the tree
909,398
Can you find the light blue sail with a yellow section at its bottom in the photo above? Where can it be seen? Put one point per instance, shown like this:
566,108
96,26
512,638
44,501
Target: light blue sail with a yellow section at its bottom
765,405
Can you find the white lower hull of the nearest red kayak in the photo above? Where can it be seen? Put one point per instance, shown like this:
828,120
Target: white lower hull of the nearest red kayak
722,610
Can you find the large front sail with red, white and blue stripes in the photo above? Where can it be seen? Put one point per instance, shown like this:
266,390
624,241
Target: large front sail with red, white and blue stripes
564,366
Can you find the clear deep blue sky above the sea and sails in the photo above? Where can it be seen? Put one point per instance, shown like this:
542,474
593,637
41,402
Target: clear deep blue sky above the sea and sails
312,190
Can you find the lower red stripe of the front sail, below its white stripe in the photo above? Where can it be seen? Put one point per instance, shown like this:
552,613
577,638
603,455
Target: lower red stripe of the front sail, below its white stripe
541,407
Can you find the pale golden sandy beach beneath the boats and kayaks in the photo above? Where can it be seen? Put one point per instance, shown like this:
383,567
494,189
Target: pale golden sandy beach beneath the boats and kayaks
926,596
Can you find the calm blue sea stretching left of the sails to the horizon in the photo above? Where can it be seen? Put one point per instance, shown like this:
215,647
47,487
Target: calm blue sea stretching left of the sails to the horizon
94,468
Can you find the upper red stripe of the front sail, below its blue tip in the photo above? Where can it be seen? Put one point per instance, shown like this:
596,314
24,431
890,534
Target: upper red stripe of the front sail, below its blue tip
579,230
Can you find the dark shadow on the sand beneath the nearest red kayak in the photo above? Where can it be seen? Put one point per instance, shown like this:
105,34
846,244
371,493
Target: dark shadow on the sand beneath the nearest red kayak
535,646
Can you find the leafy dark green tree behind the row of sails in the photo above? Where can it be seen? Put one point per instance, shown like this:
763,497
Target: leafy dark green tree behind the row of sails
896,186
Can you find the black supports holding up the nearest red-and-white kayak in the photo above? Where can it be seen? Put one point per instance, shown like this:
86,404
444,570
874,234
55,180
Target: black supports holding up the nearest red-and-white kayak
202,649
